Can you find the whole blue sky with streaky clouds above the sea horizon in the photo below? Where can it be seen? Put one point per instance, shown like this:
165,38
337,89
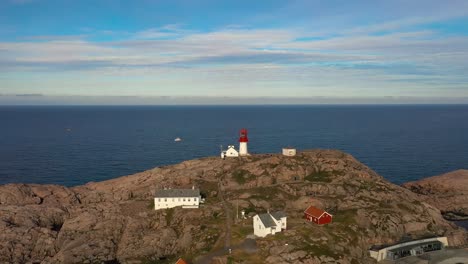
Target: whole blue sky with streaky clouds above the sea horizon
105,51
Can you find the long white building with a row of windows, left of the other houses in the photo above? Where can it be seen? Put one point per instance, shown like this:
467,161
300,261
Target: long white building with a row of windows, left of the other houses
169,198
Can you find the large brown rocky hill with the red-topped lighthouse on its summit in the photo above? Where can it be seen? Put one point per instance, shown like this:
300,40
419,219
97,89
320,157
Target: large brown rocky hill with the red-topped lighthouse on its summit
114,221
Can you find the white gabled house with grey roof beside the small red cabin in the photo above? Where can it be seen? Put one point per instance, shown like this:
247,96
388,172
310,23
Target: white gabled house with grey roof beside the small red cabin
269,224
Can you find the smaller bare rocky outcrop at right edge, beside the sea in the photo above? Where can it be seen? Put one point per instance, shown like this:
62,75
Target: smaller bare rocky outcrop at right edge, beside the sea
447,192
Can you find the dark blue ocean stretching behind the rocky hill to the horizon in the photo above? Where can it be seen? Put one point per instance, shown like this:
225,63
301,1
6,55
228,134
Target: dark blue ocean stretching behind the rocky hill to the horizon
72,145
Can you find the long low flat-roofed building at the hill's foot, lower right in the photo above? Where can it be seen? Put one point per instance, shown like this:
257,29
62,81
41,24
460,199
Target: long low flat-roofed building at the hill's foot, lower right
411,248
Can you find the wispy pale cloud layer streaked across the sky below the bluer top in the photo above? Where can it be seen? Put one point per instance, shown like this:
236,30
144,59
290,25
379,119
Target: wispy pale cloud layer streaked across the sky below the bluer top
399,56
